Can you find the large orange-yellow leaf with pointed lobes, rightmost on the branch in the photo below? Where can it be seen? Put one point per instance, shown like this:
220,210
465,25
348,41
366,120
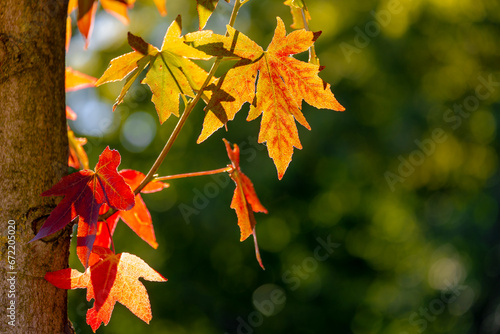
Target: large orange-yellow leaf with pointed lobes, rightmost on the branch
283,83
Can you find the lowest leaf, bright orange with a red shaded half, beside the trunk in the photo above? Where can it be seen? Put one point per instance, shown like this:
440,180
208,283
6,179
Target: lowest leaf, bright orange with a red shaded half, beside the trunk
110,278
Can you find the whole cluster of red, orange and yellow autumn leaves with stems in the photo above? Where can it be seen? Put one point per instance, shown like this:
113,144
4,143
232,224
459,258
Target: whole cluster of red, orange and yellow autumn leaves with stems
272,81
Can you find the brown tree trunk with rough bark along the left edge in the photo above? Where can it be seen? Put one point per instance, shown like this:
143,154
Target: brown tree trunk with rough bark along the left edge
33,157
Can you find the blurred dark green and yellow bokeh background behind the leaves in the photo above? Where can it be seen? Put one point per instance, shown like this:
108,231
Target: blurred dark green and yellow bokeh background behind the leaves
386,221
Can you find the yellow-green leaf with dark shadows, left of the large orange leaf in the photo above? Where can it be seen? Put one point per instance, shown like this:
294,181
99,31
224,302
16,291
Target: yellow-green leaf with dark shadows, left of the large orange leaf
171,71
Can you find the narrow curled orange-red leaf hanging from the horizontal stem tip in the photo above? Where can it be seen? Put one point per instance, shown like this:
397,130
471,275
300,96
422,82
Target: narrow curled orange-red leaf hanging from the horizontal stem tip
245,201
